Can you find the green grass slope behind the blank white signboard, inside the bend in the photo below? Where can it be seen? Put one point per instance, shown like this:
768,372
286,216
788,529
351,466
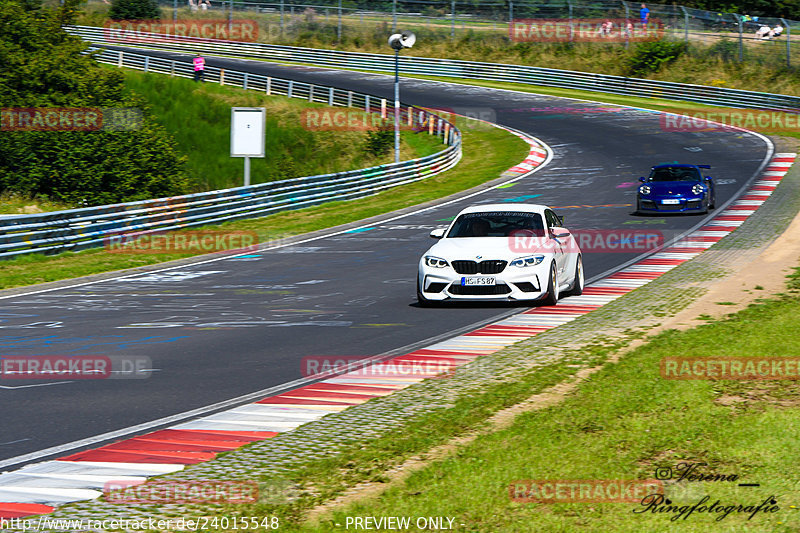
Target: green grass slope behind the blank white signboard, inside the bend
198,117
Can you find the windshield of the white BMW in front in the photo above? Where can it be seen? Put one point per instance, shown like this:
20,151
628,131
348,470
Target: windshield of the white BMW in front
498,224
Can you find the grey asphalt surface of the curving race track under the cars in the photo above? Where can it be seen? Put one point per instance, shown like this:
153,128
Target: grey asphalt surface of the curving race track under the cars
229,327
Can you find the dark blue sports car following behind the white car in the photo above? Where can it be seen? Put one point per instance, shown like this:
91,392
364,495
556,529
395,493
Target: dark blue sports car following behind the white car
676,188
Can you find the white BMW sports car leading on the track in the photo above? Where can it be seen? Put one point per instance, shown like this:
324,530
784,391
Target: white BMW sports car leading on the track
499,252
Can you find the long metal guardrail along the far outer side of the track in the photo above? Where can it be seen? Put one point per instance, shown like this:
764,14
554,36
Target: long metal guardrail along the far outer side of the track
451,68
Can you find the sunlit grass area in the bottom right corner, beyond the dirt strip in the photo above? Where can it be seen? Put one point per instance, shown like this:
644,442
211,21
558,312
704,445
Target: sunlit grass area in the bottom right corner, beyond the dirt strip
623,423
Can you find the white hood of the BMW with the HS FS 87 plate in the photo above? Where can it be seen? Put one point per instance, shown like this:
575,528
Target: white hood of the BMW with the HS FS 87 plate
469,248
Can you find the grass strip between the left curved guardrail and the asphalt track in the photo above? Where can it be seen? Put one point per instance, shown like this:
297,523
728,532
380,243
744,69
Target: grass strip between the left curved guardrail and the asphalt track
487,153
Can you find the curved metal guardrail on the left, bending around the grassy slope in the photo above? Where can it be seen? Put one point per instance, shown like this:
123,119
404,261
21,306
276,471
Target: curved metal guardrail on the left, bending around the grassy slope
82,228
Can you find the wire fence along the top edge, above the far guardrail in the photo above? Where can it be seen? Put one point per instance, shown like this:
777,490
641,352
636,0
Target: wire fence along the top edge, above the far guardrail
750,37
